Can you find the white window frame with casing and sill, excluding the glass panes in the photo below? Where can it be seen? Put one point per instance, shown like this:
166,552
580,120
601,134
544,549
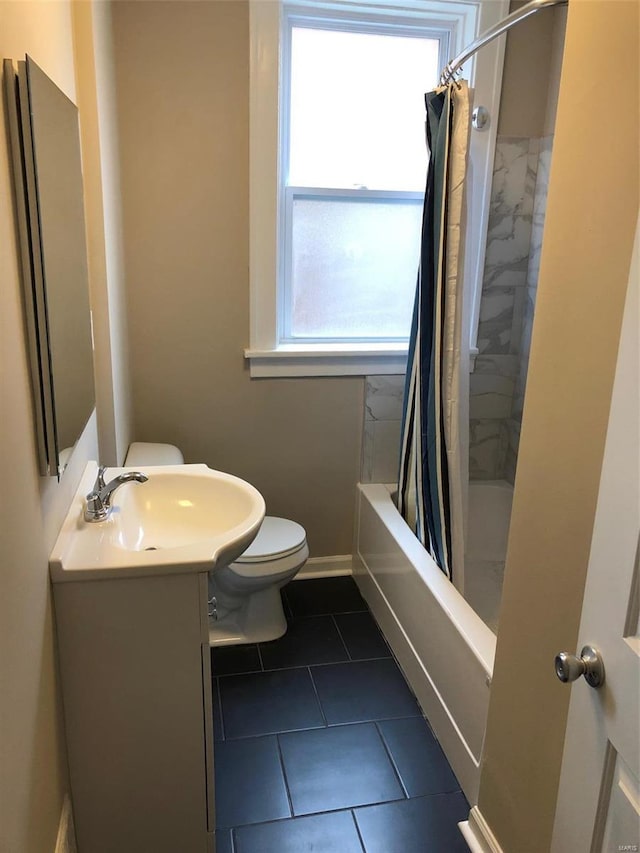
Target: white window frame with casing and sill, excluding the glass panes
270,23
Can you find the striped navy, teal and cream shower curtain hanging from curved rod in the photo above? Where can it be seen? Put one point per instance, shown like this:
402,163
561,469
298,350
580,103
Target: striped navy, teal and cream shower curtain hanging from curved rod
430,489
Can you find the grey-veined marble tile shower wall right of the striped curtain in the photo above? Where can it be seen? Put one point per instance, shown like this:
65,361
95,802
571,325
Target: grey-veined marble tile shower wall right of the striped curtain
516,220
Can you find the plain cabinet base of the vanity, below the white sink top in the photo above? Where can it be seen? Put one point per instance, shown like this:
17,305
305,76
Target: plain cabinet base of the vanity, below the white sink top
136,680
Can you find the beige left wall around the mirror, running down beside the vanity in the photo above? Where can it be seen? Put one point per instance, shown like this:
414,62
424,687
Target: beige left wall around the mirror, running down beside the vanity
32,750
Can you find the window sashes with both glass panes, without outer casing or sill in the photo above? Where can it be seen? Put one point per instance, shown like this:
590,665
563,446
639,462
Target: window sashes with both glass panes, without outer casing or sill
354,177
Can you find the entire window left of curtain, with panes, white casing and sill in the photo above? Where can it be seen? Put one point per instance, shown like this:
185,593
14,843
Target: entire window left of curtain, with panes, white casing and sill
338,163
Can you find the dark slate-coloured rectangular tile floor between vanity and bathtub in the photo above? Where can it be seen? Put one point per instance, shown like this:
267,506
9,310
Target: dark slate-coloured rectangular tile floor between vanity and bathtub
320,744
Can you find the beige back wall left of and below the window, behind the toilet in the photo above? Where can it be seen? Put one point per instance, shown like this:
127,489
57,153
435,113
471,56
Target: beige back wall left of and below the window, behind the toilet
183,97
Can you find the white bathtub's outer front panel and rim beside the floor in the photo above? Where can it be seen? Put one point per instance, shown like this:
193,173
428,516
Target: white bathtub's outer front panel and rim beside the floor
445,650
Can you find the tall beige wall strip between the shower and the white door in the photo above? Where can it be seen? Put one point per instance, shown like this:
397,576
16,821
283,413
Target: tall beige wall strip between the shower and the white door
591,217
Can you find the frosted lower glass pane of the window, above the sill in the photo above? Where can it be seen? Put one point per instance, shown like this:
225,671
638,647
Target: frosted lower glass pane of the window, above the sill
354,267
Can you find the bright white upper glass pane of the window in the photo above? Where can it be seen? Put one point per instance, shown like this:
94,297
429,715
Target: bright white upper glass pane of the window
357,109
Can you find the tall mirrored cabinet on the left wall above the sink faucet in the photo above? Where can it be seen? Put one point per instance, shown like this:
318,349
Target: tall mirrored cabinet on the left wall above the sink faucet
45,144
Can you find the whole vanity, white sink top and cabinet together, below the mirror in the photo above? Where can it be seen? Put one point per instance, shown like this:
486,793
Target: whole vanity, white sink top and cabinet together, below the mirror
130,595
